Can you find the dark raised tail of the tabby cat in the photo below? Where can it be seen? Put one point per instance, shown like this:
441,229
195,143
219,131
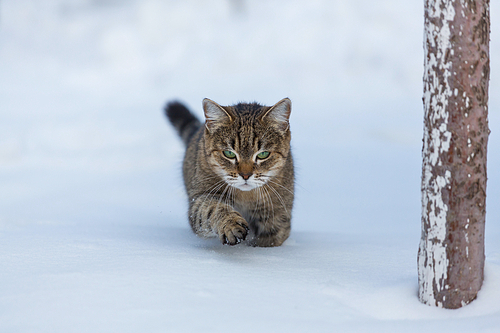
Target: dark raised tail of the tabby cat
183,120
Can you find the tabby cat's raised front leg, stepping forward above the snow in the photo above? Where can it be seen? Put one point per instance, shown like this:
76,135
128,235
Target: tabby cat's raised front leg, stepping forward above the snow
213,217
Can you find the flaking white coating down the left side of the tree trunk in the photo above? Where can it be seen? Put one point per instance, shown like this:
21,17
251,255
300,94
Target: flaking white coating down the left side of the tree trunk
432,261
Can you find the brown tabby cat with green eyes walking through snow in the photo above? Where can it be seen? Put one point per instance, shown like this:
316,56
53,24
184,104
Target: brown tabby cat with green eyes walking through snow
238,170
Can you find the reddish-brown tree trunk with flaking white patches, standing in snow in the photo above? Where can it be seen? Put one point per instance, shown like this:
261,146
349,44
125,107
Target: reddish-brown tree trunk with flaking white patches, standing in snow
456,76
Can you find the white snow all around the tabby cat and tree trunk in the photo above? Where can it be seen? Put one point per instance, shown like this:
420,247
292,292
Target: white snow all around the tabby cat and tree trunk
93,229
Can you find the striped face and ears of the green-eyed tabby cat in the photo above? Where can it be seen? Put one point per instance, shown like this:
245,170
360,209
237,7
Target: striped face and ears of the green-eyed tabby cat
247,144
